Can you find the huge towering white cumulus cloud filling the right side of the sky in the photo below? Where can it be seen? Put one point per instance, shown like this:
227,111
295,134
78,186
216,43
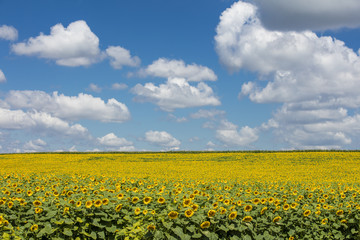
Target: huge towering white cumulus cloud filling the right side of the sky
315,78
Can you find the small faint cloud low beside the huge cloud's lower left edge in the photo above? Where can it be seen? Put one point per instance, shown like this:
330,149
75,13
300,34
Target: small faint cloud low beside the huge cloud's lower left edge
228,134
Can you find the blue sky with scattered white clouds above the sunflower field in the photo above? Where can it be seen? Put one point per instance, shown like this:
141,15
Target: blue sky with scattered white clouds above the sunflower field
179,75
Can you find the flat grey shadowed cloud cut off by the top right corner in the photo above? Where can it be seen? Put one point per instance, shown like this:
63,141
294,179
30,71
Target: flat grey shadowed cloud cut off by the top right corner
308,14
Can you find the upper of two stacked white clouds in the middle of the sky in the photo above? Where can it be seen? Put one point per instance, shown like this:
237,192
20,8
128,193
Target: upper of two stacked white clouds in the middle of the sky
167,68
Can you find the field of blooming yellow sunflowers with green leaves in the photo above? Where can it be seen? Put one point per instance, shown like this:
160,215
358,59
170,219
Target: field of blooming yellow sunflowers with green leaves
189,195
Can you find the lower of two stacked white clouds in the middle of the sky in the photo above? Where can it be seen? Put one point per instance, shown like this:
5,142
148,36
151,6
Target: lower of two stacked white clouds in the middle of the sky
176,93
